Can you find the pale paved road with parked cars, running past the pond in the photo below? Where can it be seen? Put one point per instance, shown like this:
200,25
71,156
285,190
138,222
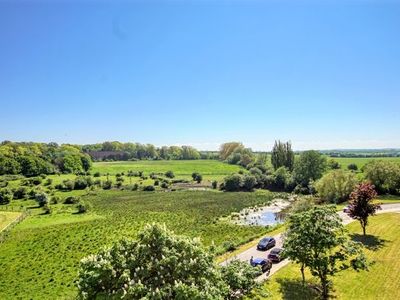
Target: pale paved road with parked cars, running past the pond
247,254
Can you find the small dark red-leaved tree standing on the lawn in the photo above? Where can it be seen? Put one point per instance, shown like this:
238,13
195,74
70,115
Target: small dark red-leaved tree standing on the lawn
361,206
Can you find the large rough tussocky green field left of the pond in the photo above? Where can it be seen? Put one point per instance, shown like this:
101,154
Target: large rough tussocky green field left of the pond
39,259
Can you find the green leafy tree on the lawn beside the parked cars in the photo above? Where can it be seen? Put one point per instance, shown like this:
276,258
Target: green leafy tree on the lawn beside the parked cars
316,238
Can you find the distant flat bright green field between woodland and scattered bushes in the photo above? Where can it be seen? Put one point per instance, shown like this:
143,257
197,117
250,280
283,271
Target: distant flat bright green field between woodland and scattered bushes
210,169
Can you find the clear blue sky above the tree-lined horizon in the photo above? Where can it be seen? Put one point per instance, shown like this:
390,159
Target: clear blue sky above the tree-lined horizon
323,74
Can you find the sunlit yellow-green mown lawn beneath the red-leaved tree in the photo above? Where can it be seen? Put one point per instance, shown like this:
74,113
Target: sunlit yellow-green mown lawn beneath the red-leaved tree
380,282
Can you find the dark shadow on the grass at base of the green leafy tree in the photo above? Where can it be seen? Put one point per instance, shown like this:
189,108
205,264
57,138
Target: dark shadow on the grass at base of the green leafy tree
295,290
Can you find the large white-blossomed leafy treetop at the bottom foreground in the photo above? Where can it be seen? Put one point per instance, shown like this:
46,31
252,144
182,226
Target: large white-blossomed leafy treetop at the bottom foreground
158,265
